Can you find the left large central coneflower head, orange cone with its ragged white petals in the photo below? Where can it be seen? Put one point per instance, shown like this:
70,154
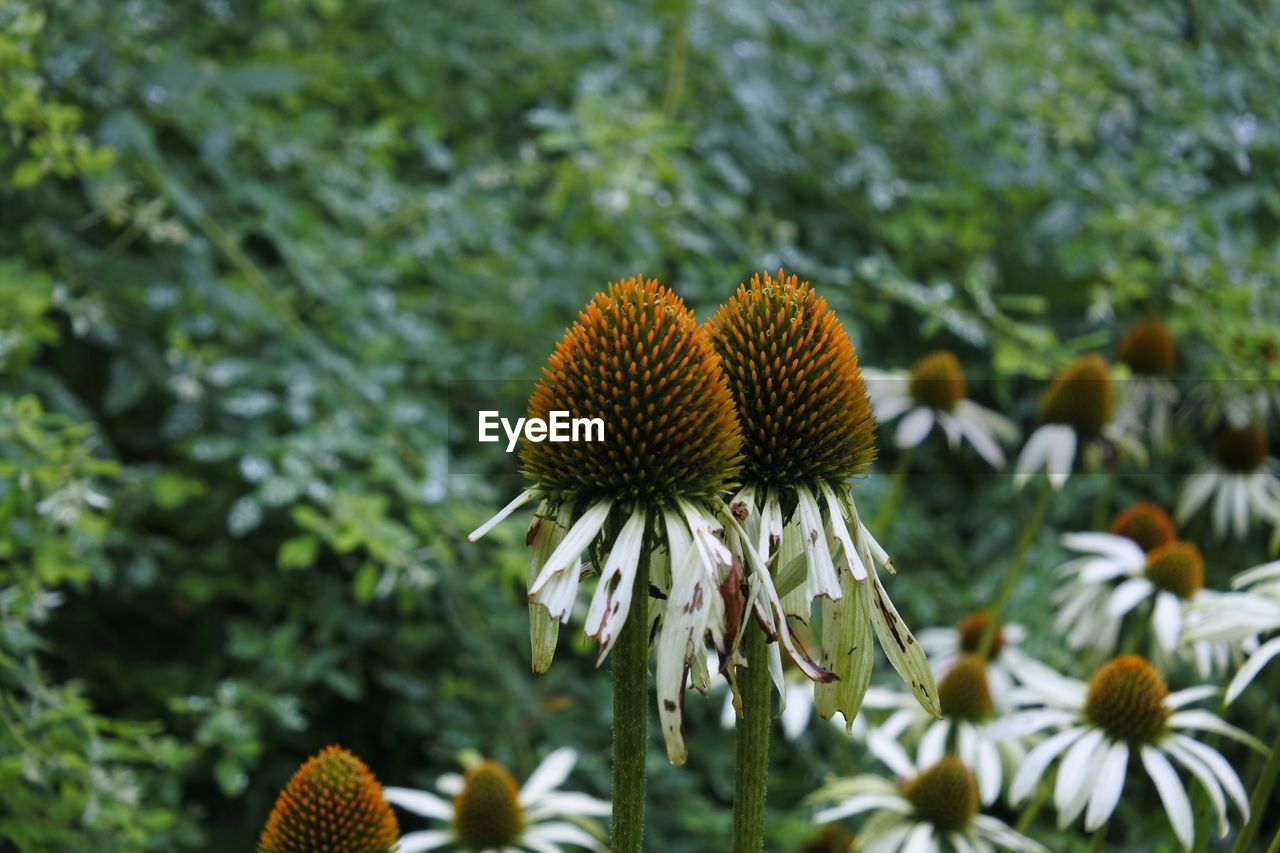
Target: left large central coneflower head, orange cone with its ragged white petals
652,490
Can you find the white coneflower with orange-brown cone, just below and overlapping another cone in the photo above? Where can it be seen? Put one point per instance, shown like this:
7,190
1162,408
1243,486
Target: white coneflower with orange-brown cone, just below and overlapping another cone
1117,578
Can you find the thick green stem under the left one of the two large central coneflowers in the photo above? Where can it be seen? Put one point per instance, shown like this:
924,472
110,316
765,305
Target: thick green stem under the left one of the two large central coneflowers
632,718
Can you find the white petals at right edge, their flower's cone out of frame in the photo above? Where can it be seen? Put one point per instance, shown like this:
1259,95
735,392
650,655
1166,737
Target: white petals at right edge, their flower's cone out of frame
1240,618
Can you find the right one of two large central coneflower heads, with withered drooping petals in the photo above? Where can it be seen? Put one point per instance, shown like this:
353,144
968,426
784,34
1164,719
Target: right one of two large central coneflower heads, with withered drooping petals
808,428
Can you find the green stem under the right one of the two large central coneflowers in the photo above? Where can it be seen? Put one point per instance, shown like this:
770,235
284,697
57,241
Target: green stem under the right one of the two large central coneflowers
752,737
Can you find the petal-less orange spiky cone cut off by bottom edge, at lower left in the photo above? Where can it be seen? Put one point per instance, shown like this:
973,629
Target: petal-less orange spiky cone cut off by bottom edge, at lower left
333,804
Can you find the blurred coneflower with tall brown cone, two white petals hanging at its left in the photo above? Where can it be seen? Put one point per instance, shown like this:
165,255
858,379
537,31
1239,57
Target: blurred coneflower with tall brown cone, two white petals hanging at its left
1078,413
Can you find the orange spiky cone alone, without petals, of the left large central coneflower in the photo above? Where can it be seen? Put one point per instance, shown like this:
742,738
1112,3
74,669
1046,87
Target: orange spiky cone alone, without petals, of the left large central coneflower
637,359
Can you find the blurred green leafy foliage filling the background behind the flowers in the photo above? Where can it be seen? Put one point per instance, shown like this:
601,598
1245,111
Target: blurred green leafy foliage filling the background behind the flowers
255,258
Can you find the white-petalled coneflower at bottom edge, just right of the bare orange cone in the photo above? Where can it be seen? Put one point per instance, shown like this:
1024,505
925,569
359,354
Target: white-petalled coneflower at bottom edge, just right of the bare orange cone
487,811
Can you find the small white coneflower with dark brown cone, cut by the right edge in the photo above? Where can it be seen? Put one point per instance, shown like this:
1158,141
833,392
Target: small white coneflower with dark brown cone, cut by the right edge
1242,482
